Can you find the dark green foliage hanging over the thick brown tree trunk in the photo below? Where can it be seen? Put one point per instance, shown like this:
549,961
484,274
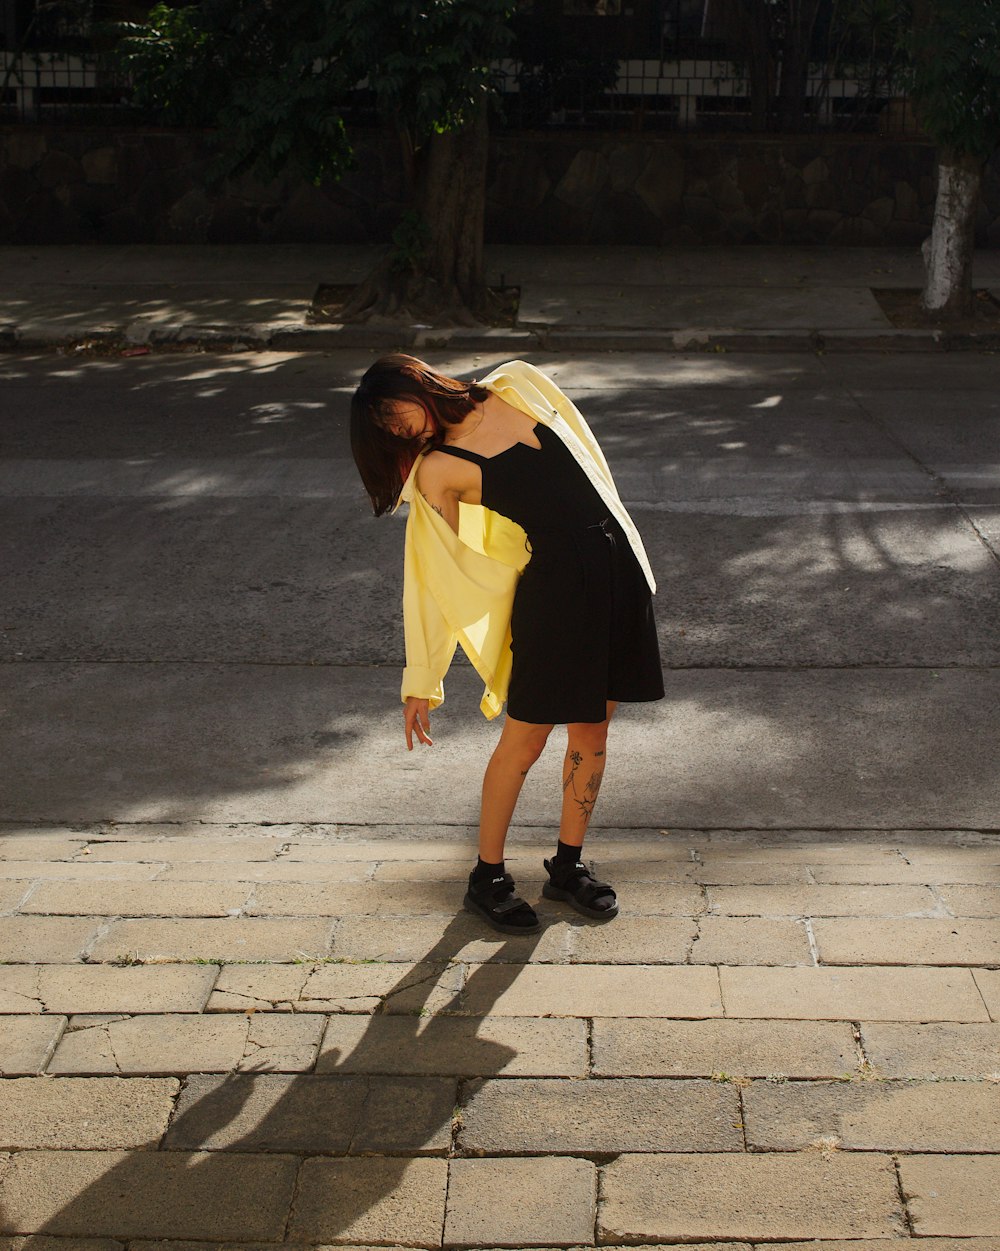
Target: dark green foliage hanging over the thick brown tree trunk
275,76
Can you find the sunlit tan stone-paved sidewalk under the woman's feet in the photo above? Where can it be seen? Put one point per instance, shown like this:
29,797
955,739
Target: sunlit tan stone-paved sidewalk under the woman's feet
286,1036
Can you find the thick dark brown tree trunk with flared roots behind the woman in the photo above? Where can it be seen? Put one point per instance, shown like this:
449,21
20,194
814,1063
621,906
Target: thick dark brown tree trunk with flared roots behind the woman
435,273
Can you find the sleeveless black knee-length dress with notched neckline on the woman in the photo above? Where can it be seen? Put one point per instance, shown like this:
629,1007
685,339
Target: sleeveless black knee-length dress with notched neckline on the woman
583,622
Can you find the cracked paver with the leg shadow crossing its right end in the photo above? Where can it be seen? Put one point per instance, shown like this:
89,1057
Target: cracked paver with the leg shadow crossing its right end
337,988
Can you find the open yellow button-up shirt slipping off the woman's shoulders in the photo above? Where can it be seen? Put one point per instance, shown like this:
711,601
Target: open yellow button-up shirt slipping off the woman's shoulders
460,589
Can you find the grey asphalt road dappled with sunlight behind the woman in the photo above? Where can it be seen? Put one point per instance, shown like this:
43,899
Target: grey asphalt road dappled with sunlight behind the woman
201,619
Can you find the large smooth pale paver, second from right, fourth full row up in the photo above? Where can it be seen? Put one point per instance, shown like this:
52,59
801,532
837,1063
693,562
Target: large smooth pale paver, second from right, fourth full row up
853,994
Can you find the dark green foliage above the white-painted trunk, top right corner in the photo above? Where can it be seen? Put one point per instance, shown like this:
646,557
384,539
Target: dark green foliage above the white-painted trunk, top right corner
956,74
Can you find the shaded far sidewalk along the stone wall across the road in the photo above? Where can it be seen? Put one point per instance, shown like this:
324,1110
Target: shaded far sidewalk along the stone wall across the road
240,297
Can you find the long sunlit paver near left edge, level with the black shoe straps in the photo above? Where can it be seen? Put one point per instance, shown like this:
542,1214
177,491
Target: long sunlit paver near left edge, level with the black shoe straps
137,899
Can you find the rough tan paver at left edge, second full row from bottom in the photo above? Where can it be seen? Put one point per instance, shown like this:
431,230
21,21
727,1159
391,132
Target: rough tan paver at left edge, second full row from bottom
84,1113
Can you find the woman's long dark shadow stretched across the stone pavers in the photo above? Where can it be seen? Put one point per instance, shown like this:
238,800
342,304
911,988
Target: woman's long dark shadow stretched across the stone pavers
355,1109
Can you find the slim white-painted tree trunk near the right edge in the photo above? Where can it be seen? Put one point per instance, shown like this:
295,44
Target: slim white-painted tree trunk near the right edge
948,253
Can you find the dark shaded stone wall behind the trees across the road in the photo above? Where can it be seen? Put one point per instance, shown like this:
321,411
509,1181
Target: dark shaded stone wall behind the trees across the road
128,186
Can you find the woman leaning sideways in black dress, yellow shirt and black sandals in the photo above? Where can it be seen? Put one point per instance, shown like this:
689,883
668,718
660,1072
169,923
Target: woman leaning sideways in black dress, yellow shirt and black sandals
520,550
